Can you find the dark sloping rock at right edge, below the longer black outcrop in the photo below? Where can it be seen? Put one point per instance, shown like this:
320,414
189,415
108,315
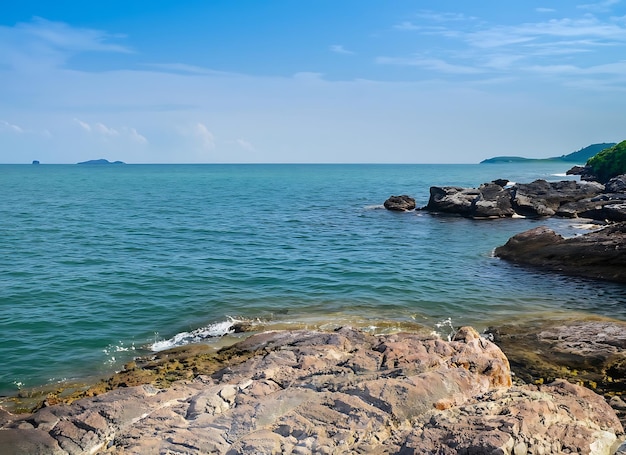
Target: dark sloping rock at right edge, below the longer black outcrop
598,255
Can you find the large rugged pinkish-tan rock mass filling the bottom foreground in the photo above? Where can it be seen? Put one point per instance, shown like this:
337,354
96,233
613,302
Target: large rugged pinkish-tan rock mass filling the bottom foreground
343,392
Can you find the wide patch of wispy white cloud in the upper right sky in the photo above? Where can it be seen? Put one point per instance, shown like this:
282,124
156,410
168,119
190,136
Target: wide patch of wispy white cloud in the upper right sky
458,44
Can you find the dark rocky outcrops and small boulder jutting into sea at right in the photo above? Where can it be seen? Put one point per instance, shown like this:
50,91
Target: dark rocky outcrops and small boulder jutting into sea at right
597,255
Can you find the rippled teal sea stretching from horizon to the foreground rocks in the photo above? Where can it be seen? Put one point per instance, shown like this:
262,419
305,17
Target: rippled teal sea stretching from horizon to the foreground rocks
99,264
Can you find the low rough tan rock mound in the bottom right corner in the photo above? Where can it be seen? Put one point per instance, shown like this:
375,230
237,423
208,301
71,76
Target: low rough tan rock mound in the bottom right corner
550,419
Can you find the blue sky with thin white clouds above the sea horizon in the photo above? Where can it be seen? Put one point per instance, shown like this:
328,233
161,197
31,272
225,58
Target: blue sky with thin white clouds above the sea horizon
373,81
